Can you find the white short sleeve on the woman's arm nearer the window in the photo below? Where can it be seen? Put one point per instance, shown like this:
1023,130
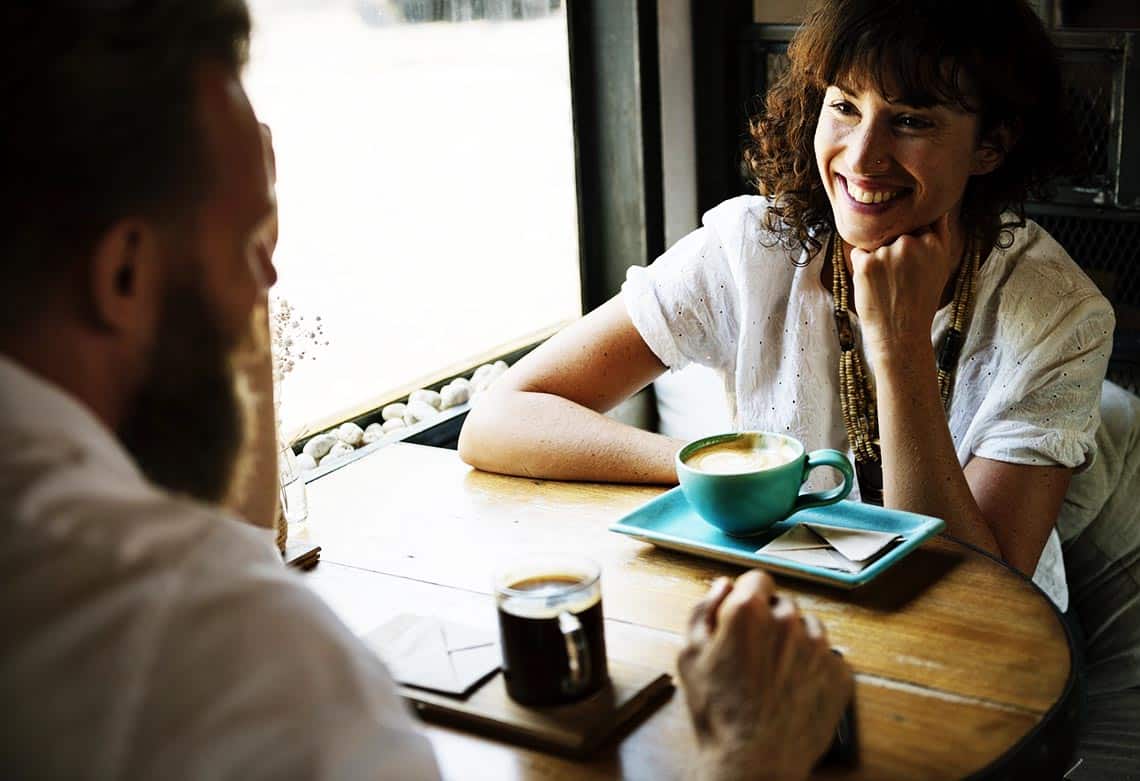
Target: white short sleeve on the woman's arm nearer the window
686,304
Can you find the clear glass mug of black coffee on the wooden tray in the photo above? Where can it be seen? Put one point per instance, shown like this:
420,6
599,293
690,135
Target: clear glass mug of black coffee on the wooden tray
551,630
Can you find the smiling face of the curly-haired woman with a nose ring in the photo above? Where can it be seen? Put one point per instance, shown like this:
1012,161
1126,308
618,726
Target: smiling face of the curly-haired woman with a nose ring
891,169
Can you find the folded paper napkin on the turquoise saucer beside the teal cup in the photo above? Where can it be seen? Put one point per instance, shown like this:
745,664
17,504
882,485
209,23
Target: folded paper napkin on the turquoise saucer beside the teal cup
832,547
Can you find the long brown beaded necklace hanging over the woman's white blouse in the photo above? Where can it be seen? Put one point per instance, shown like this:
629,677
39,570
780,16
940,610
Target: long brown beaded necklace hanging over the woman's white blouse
857,396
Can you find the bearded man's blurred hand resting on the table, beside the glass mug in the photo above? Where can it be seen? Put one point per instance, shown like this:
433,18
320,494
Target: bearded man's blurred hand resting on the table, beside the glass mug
764,689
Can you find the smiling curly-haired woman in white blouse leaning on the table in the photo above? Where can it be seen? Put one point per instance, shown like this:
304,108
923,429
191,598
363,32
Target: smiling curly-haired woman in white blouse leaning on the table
886,276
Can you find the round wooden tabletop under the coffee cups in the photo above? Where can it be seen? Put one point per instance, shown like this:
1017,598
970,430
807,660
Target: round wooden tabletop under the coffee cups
963,665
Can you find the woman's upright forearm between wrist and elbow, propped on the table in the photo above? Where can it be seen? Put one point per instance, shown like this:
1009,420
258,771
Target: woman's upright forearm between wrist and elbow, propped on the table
921,467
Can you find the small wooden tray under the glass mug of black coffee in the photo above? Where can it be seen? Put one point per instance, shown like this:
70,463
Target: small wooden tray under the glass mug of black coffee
575,730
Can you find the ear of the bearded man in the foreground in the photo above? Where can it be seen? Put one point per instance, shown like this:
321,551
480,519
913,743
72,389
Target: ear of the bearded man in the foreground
124,280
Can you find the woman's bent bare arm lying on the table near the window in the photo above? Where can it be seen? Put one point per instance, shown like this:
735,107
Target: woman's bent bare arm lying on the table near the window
545,417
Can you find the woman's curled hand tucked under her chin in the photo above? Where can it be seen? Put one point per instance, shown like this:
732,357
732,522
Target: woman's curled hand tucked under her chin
899,288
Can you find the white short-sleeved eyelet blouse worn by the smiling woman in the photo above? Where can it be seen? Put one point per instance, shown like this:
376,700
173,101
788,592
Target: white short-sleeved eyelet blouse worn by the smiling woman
1028,385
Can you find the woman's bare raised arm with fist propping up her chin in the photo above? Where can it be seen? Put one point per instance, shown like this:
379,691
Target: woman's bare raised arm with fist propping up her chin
1005,509
